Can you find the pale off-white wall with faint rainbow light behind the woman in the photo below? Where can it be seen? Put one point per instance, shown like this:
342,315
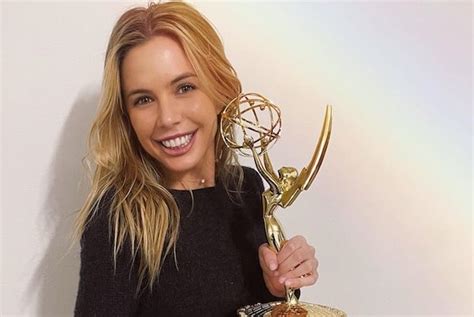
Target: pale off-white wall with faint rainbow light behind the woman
390,212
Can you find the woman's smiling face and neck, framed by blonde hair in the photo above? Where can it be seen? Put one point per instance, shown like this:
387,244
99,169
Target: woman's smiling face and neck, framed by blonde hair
174,120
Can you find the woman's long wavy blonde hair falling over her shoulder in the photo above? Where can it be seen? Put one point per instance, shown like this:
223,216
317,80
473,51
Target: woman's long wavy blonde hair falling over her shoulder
142,210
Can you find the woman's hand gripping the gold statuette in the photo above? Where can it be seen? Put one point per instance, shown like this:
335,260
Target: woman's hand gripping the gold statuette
294,266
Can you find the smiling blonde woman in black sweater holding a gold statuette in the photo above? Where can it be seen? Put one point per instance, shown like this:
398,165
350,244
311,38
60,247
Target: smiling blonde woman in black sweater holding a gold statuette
173,225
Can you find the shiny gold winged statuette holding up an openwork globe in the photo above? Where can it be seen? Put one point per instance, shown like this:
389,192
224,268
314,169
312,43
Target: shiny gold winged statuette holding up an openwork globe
251,124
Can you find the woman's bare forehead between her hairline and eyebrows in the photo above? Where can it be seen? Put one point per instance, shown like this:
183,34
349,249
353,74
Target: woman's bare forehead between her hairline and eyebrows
157,61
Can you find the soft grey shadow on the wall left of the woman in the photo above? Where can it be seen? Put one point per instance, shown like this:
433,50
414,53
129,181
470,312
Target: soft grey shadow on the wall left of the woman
56,279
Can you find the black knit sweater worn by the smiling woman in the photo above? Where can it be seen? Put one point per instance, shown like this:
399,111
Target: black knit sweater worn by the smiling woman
216,252
